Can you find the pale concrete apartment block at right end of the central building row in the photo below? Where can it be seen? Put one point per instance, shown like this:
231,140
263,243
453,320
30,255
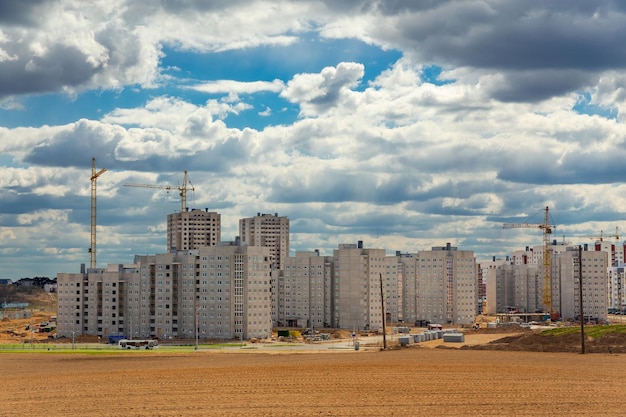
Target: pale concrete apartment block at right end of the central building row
447,285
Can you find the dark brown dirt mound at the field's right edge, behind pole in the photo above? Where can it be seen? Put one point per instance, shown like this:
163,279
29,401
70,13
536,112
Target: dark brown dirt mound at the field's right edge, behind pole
537,342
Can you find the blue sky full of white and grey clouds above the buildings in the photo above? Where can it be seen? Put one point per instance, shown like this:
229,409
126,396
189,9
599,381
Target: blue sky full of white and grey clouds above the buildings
403,124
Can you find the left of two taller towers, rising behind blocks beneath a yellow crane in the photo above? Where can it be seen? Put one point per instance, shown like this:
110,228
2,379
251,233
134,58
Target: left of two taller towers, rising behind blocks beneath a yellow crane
189,230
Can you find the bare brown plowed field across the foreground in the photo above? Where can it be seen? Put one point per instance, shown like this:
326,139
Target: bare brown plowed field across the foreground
404,382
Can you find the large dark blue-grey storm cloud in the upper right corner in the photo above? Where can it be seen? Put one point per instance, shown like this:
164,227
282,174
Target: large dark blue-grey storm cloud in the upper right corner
540,49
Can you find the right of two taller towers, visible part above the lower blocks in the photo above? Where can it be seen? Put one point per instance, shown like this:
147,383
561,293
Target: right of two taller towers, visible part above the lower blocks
270,231
